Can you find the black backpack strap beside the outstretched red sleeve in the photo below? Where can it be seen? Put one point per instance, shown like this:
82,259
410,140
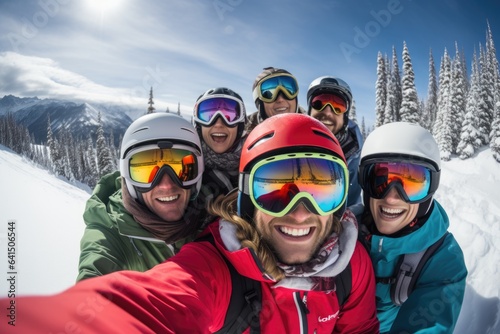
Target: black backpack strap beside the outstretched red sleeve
245,303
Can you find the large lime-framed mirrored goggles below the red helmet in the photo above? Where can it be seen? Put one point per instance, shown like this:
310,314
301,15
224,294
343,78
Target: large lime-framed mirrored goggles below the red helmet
276,185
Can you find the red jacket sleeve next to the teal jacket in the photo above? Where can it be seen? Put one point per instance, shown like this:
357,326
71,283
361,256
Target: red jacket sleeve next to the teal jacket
359,313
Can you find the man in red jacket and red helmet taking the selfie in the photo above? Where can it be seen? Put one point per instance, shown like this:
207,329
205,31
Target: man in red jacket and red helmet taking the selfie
293,250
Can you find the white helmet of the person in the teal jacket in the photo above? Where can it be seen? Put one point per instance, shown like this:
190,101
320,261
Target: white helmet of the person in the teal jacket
403,141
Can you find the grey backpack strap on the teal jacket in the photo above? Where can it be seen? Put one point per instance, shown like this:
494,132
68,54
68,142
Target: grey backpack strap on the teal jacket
409,271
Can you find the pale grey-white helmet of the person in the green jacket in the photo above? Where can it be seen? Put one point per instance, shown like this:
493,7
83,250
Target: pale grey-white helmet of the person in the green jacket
160,129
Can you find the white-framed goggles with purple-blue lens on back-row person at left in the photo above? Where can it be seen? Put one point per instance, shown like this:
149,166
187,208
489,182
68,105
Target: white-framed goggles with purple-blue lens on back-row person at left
229,109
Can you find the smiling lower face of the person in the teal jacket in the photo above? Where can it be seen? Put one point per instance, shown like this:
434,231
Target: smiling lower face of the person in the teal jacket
392,213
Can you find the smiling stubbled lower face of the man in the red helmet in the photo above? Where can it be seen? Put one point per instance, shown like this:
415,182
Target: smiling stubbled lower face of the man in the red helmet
296,237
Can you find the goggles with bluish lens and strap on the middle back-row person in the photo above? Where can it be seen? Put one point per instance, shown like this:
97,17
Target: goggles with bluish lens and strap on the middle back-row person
268,89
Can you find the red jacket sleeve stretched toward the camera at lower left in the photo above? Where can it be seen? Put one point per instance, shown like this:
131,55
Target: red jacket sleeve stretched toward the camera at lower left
173,297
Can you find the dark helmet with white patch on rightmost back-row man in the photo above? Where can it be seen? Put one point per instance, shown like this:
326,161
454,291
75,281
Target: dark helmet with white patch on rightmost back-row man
329,84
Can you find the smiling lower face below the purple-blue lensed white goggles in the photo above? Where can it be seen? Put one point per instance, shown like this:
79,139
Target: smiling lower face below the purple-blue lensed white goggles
219,137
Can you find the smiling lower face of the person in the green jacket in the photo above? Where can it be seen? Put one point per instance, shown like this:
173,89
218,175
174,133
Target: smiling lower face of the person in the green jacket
167,200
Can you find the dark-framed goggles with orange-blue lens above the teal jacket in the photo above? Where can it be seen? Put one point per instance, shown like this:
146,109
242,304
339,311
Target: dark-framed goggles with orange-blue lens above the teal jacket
415,182
